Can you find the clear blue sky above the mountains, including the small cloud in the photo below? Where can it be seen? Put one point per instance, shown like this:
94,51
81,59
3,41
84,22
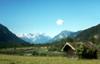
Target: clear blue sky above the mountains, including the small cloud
49,16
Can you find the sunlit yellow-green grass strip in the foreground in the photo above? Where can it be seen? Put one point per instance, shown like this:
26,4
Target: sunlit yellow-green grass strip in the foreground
10,59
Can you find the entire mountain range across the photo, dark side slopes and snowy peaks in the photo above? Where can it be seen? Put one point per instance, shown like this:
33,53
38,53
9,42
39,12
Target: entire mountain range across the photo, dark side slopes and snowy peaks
9,39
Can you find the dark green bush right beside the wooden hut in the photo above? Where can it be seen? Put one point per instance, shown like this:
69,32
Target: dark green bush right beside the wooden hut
86,52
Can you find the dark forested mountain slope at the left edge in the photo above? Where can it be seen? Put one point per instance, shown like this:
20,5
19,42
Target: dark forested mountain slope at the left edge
9,39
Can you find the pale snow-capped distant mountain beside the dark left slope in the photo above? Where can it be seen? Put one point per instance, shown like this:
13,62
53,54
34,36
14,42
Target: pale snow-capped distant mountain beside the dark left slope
35,38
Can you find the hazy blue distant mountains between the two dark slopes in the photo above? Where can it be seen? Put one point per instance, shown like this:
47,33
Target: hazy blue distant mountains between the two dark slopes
43,38
